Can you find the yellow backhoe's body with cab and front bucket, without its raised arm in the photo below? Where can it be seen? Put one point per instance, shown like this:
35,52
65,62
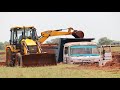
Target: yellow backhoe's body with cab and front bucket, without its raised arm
25,50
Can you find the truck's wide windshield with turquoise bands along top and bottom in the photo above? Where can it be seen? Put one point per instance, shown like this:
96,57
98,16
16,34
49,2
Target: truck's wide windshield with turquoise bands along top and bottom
84,50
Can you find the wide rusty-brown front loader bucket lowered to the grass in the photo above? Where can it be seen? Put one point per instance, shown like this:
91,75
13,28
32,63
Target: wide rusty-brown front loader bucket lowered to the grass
43,59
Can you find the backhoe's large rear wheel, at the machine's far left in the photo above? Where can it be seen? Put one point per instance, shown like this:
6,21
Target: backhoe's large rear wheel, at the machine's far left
9,58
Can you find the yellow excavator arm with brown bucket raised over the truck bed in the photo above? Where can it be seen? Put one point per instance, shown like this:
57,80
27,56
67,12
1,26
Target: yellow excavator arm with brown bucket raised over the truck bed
71,31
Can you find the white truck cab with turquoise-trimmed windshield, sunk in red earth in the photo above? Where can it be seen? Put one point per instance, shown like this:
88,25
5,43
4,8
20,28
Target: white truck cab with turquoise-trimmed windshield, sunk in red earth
81,52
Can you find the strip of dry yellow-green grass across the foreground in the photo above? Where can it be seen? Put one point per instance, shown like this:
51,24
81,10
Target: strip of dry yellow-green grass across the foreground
59,71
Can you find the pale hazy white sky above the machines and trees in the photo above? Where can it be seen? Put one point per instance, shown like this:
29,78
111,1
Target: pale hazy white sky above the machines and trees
93,24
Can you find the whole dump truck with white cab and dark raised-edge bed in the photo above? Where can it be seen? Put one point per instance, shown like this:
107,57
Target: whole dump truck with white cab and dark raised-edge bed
78,50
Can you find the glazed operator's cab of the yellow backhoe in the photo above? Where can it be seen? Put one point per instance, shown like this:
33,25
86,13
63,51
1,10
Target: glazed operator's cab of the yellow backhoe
20,33
